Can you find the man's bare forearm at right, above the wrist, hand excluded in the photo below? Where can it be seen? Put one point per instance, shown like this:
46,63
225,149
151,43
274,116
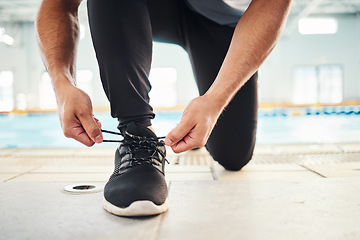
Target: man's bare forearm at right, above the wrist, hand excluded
255,36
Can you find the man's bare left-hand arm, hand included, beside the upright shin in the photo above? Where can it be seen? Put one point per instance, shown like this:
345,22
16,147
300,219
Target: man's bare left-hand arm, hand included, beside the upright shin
57,30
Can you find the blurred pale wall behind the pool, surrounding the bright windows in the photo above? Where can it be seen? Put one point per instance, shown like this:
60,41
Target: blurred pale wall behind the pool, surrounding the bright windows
275,75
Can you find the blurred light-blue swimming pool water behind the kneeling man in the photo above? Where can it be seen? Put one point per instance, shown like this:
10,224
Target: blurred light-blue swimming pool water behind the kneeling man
44,131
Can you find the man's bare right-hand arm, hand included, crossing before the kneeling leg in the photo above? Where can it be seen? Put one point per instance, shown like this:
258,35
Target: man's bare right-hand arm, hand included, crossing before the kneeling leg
256,34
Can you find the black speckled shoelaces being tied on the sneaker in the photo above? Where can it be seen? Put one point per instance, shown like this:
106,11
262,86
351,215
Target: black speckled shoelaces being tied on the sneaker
139,144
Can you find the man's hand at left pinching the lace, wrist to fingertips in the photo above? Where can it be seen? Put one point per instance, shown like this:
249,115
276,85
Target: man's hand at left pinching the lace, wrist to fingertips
76,116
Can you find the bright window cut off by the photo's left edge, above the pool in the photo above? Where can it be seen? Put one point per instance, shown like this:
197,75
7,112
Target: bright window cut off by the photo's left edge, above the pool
6,91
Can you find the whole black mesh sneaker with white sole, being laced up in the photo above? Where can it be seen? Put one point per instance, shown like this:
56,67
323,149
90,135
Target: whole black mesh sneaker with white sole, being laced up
137,186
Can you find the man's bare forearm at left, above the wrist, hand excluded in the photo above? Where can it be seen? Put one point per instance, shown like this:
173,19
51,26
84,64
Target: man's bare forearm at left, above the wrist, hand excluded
57,33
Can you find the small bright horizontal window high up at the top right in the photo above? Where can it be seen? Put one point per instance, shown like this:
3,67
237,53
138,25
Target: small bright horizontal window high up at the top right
317,26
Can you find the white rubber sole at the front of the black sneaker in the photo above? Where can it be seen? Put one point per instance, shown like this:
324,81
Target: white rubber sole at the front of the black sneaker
137,209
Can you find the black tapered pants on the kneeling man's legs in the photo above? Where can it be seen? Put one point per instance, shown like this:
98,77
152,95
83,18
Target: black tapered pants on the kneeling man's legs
122,33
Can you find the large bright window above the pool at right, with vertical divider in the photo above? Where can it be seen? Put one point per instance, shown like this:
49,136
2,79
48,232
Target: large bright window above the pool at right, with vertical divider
317,84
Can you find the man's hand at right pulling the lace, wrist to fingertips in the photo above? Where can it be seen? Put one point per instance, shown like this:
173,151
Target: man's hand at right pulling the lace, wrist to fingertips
196,124
